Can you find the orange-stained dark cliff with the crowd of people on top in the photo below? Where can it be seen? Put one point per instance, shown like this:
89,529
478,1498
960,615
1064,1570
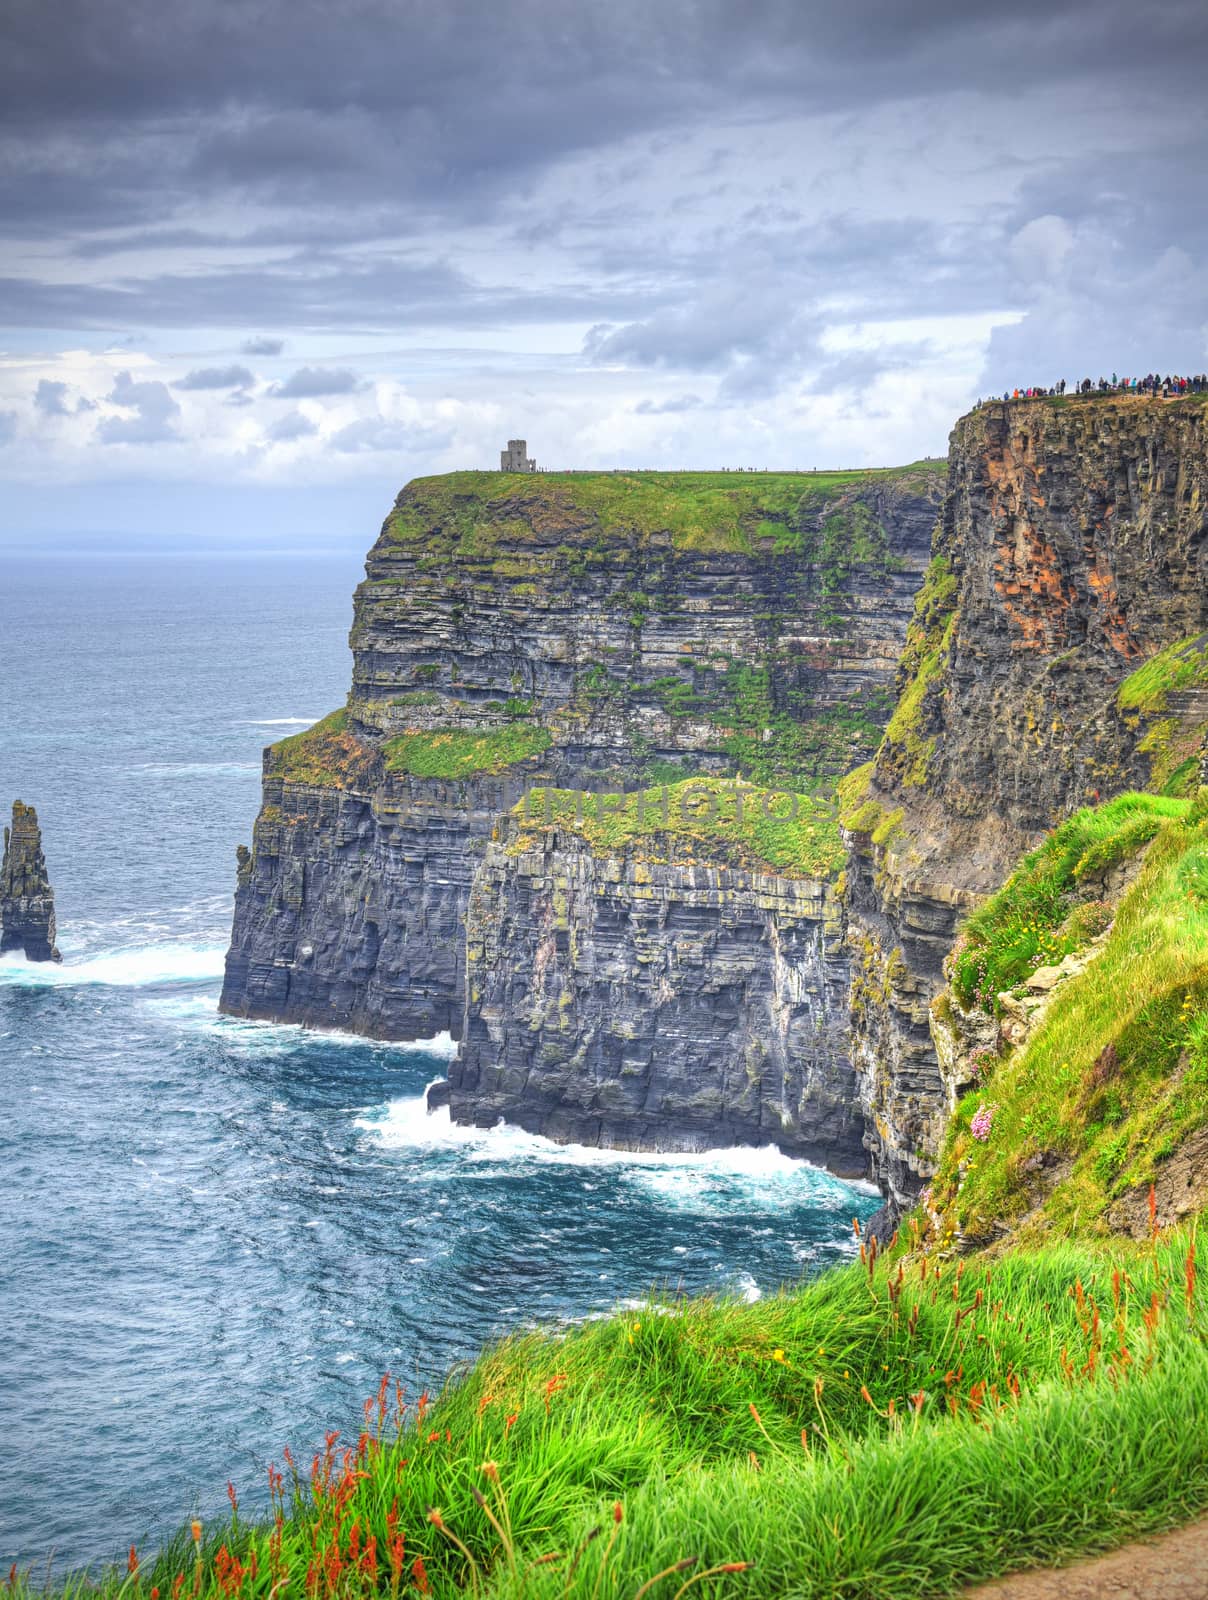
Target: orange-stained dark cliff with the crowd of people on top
1070,556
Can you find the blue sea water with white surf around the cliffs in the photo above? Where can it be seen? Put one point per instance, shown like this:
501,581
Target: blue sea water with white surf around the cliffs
217,1236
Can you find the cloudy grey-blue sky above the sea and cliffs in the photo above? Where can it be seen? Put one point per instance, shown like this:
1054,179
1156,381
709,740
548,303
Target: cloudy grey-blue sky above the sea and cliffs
263,262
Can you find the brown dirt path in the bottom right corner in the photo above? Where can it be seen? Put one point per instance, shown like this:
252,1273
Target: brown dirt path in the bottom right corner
1169,1567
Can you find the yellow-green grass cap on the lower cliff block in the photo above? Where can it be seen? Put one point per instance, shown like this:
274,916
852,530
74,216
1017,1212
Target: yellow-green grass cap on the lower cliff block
705,818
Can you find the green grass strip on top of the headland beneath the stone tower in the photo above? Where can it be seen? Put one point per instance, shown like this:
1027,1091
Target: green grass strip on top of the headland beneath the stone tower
698,511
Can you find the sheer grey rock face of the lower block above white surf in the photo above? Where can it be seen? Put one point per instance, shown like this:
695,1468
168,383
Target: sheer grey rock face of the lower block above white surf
655,1004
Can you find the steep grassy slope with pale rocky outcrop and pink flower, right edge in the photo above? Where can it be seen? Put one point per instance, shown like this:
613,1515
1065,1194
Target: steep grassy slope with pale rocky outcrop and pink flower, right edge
1074,1038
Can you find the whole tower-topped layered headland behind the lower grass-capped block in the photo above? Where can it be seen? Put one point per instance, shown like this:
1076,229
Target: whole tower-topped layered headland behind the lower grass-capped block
580,630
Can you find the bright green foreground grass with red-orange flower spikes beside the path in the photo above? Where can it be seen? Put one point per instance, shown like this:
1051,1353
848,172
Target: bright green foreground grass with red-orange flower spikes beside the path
894,1430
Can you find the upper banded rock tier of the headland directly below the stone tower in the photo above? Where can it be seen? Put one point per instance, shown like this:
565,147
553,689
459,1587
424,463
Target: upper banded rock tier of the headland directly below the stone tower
638,630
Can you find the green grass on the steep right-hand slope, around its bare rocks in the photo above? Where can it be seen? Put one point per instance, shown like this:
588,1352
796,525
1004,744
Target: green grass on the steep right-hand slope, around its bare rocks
1116,1078
